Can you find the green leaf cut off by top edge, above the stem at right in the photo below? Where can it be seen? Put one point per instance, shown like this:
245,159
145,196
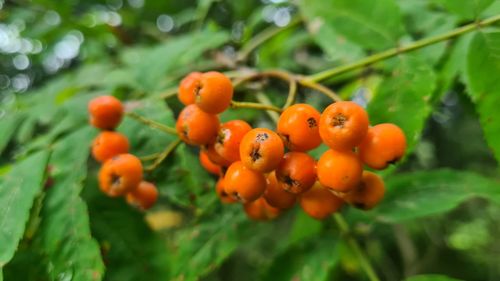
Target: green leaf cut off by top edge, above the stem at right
467,9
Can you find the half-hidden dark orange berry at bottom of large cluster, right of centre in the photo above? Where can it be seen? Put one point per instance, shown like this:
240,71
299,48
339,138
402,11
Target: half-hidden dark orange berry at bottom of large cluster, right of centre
318,202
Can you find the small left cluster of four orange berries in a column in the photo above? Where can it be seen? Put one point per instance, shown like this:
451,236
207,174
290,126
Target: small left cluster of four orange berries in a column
121,173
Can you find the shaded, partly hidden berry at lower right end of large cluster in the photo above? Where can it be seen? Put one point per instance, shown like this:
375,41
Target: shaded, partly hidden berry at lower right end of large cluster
368,193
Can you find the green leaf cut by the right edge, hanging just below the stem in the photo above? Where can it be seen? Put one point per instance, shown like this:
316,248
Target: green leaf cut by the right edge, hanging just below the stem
483,65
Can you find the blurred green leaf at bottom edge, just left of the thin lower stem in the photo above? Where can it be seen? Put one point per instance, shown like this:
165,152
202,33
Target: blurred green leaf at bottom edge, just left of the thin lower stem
310,260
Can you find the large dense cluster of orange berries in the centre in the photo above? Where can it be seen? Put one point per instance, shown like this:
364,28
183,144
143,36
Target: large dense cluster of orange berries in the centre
270,171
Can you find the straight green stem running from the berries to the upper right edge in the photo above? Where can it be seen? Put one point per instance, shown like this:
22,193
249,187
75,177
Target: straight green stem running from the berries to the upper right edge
400,50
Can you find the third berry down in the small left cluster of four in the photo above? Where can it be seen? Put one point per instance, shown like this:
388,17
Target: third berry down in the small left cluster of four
120,175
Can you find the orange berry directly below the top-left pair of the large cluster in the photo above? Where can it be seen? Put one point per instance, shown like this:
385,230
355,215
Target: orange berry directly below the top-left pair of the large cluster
196,127
